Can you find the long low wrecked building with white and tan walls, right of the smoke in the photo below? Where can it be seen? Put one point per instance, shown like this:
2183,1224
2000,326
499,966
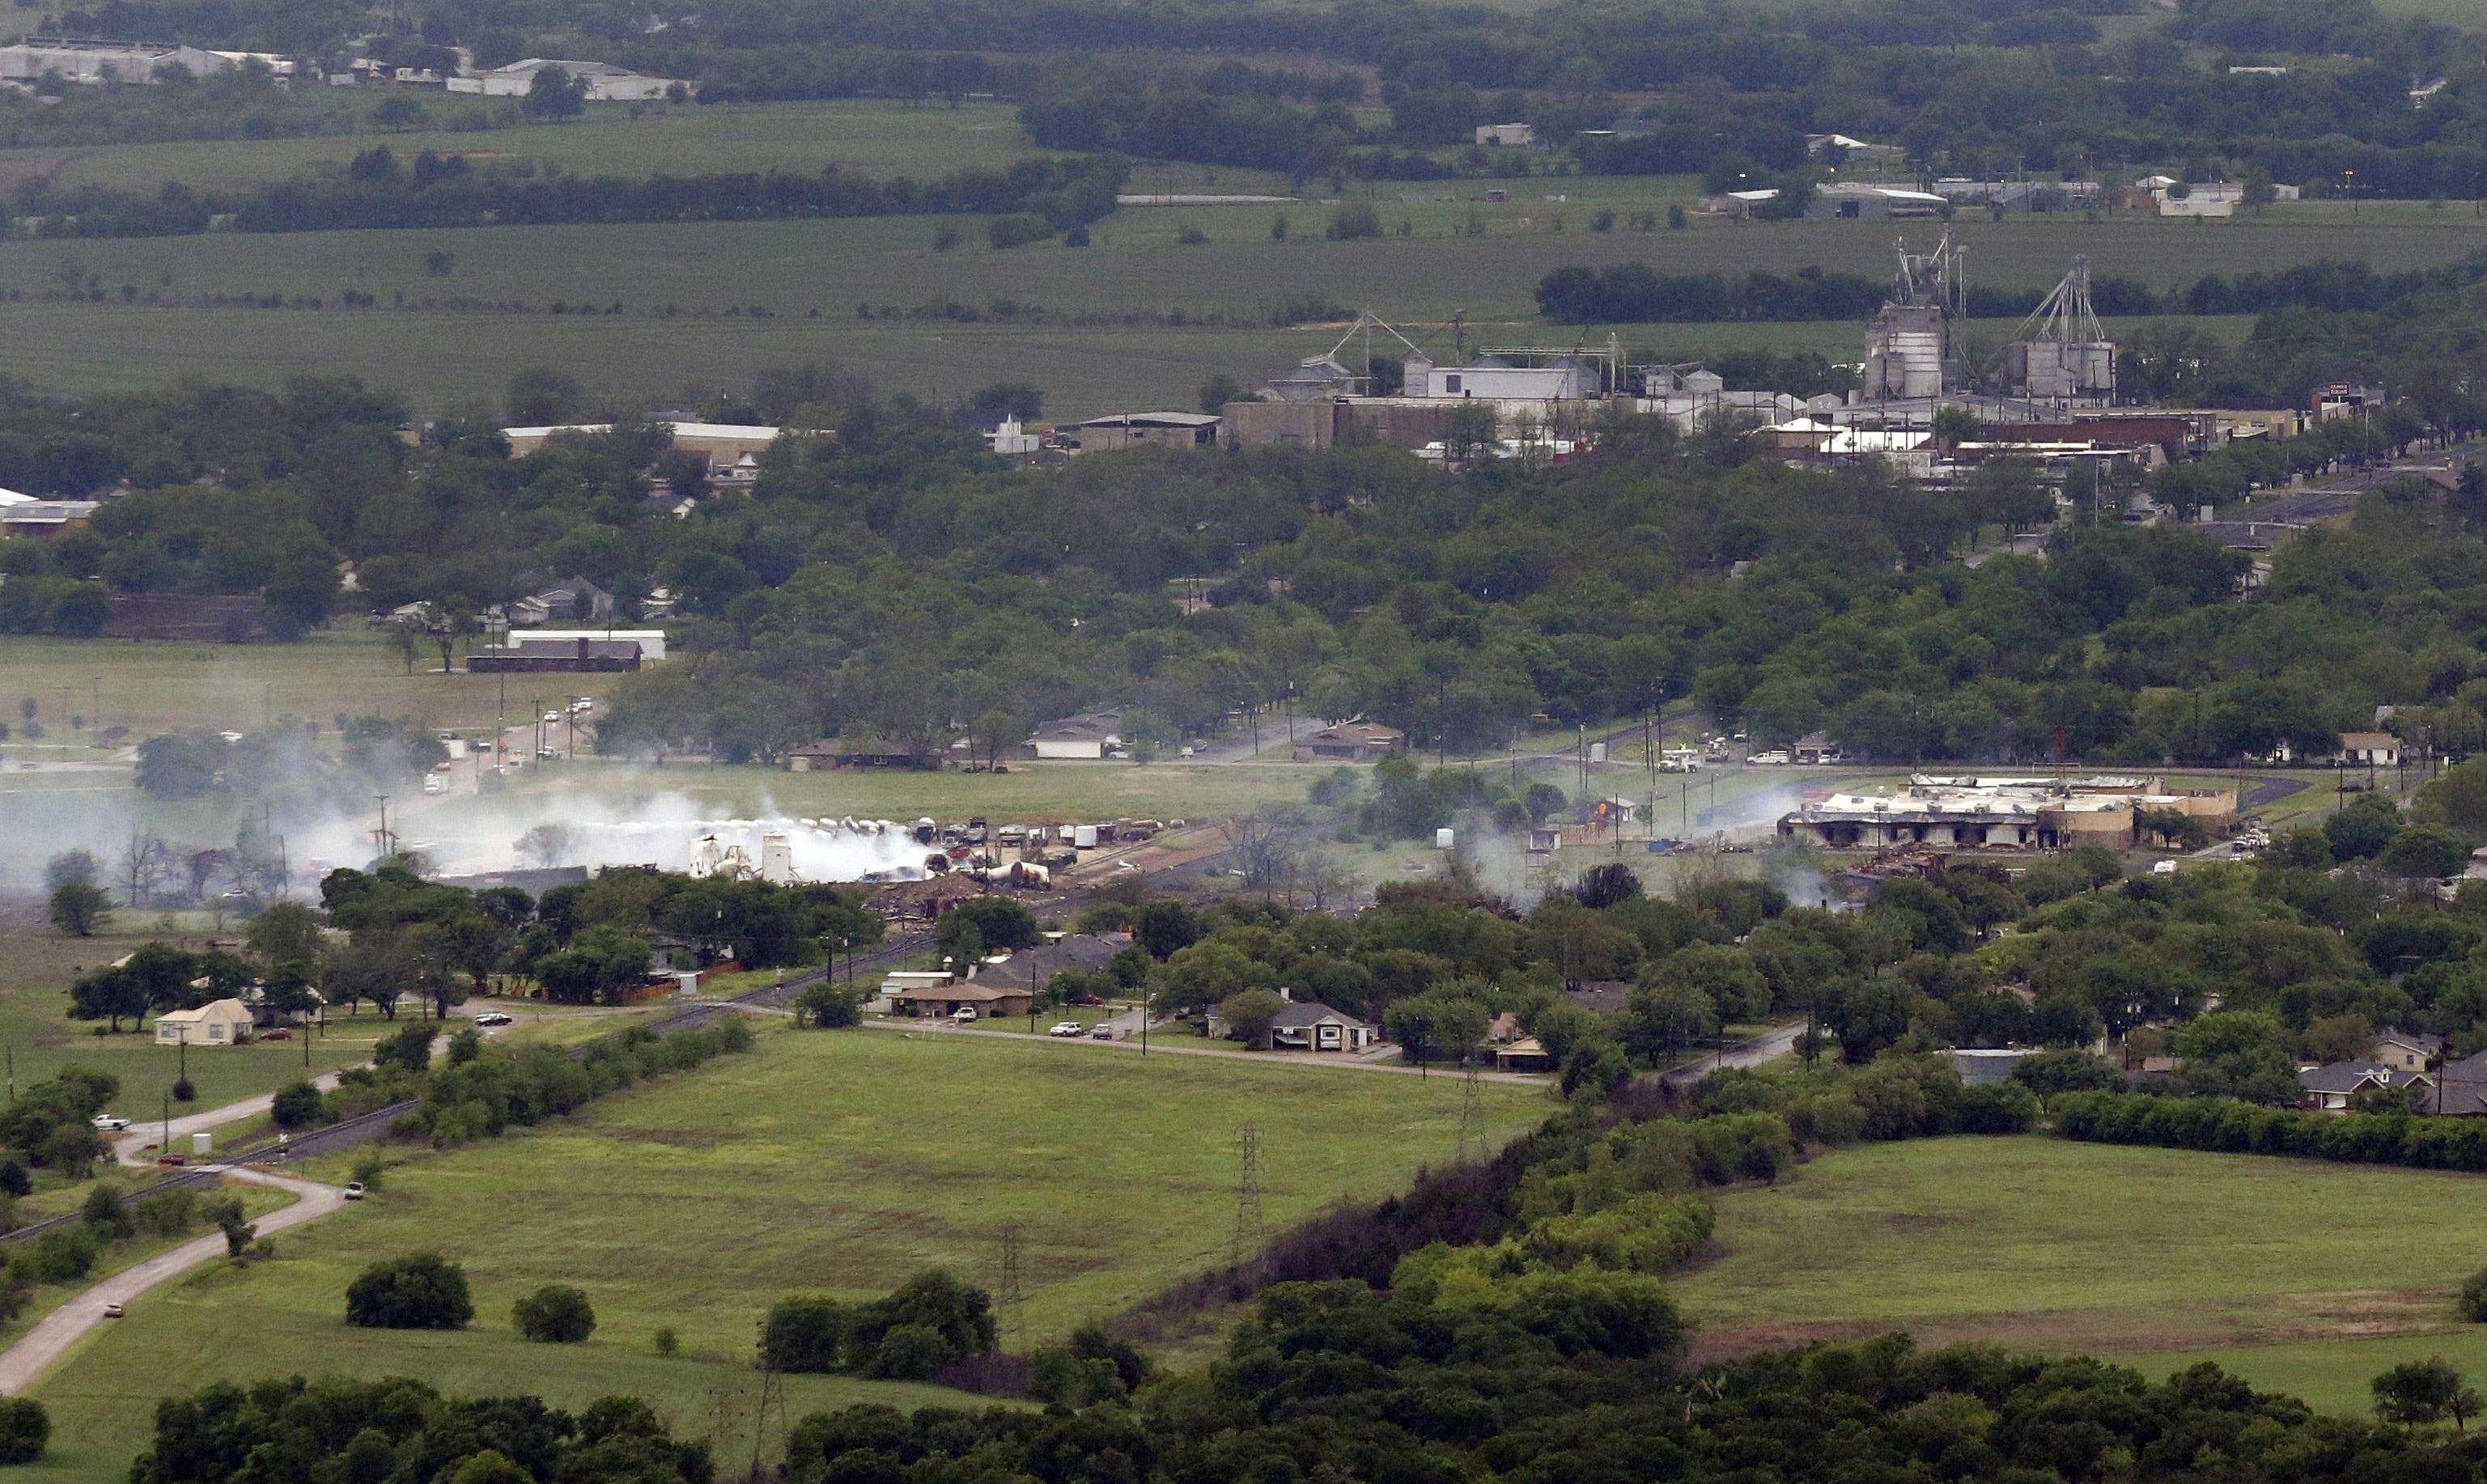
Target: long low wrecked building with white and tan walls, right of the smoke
1998,814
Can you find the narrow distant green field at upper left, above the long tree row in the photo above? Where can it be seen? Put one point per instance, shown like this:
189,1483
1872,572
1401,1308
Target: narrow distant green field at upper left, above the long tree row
869,138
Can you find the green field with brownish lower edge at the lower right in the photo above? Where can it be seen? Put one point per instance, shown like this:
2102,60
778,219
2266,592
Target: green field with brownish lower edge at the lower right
2073,1247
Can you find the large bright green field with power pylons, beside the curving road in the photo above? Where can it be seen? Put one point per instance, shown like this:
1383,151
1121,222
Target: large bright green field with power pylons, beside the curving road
819,1165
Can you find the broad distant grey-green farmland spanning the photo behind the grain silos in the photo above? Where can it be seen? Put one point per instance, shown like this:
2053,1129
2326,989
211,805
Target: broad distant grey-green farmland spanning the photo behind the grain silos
1093,327
